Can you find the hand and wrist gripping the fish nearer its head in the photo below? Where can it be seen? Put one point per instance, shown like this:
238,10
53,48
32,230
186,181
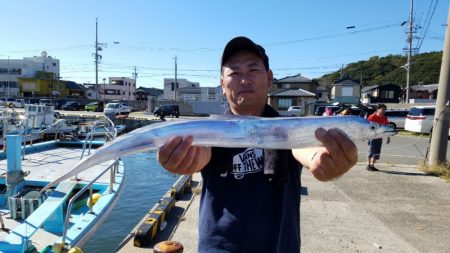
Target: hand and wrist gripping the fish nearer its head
336,157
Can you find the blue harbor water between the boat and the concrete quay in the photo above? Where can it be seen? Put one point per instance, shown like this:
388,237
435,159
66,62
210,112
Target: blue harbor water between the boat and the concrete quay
145,183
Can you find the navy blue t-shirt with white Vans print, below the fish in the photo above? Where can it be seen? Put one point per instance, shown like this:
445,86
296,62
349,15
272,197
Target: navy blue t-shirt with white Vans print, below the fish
243,210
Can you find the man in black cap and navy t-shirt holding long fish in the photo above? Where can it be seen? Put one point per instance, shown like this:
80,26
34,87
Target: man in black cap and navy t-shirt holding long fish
251,197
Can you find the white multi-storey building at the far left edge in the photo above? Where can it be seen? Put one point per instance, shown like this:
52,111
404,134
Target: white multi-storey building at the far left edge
11,69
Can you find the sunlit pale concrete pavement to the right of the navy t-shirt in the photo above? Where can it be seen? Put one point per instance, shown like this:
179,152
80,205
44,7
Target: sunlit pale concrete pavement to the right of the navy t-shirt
398,209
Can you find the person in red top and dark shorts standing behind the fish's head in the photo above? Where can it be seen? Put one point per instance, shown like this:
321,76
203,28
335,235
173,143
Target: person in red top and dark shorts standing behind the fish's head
375,144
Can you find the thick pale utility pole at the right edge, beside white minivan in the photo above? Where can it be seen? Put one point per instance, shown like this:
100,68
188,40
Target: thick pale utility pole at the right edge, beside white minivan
438,147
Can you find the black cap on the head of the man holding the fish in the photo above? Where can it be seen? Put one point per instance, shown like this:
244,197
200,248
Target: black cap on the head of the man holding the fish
244,43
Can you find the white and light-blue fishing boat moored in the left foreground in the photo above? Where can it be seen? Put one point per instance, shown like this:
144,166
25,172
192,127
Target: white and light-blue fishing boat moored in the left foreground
64,217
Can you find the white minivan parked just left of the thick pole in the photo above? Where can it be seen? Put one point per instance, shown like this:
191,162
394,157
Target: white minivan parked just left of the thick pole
420,119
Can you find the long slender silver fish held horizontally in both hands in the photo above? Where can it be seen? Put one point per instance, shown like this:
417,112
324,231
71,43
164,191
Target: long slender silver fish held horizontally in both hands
232,131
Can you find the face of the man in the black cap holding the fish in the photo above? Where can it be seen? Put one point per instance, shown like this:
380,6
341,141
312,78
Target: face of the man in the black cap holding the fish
245,82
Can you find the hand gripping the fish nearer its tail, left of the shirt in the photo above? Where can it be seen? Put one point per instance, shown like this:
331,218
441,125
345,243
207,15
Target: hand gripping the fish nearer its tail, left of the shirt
178,155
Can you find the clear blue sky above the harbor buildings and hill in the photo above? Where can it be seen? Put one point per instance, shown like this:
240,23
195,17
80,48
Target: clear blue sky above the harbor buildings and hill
307,37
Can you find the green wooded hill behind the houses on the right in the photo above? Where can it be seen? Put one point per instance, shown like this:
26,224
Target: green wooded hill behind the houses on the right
388,69
